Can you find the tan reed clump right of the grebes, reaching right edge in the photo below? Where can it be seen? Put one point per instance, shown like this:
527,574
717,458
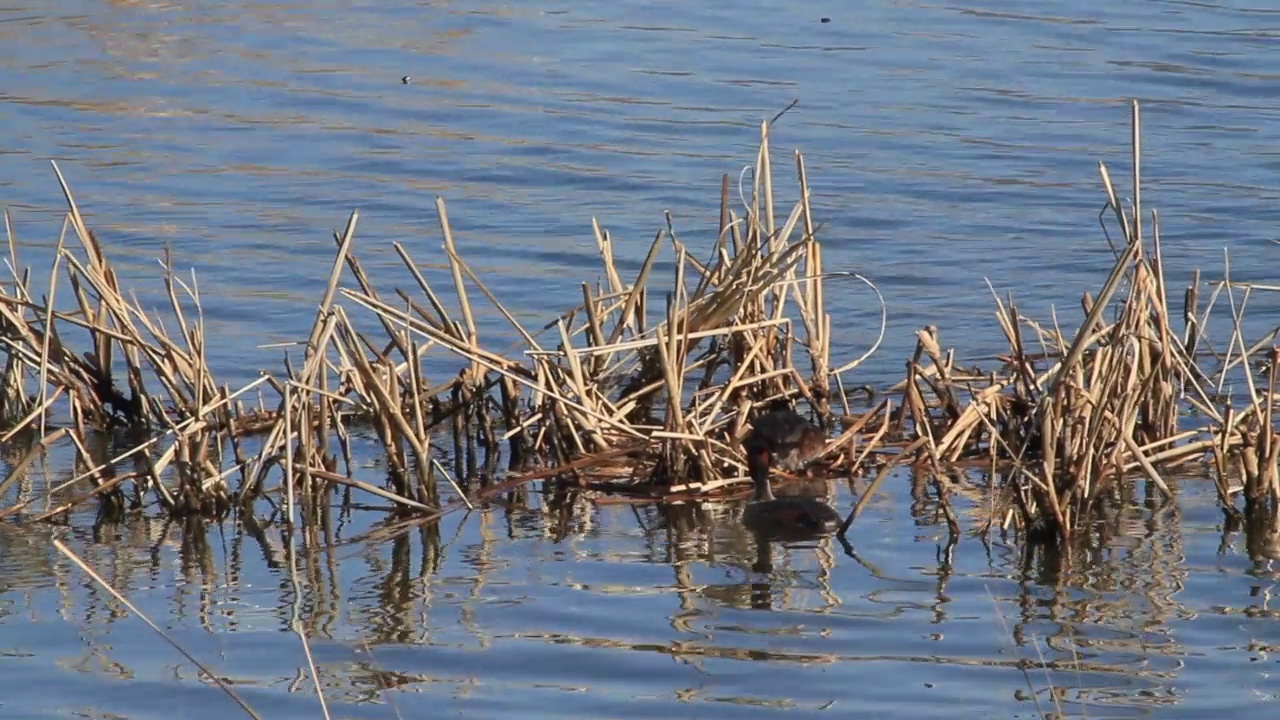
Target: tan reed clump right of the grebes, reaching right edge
1069,418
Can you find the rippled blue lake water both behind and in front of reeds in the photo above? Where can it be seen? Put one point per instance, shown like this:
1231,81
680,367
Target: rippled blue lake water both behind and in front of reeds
945,144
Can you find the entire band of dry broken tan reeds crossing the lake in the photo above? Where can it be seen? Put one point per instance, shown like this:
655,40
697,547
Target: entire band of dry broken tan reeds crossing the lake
646,388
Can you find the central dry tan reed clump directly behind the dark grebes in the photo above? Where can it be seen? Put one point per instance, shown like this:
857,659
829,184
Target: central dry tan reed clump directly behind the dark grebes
636,389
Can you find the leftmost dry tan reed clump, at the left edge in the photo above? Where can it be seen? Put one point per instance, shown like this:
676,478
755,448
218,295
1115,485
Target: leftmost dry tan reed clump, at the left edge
144,377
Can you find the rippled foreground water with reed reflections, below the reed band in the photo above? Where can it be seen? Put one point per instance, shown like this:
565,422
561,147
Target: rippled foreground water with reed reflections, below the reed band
551,607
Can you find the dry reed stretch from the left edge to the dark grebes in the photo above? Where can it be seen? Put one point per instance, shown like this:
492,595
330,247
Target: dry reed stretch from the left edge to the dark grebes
647,386
